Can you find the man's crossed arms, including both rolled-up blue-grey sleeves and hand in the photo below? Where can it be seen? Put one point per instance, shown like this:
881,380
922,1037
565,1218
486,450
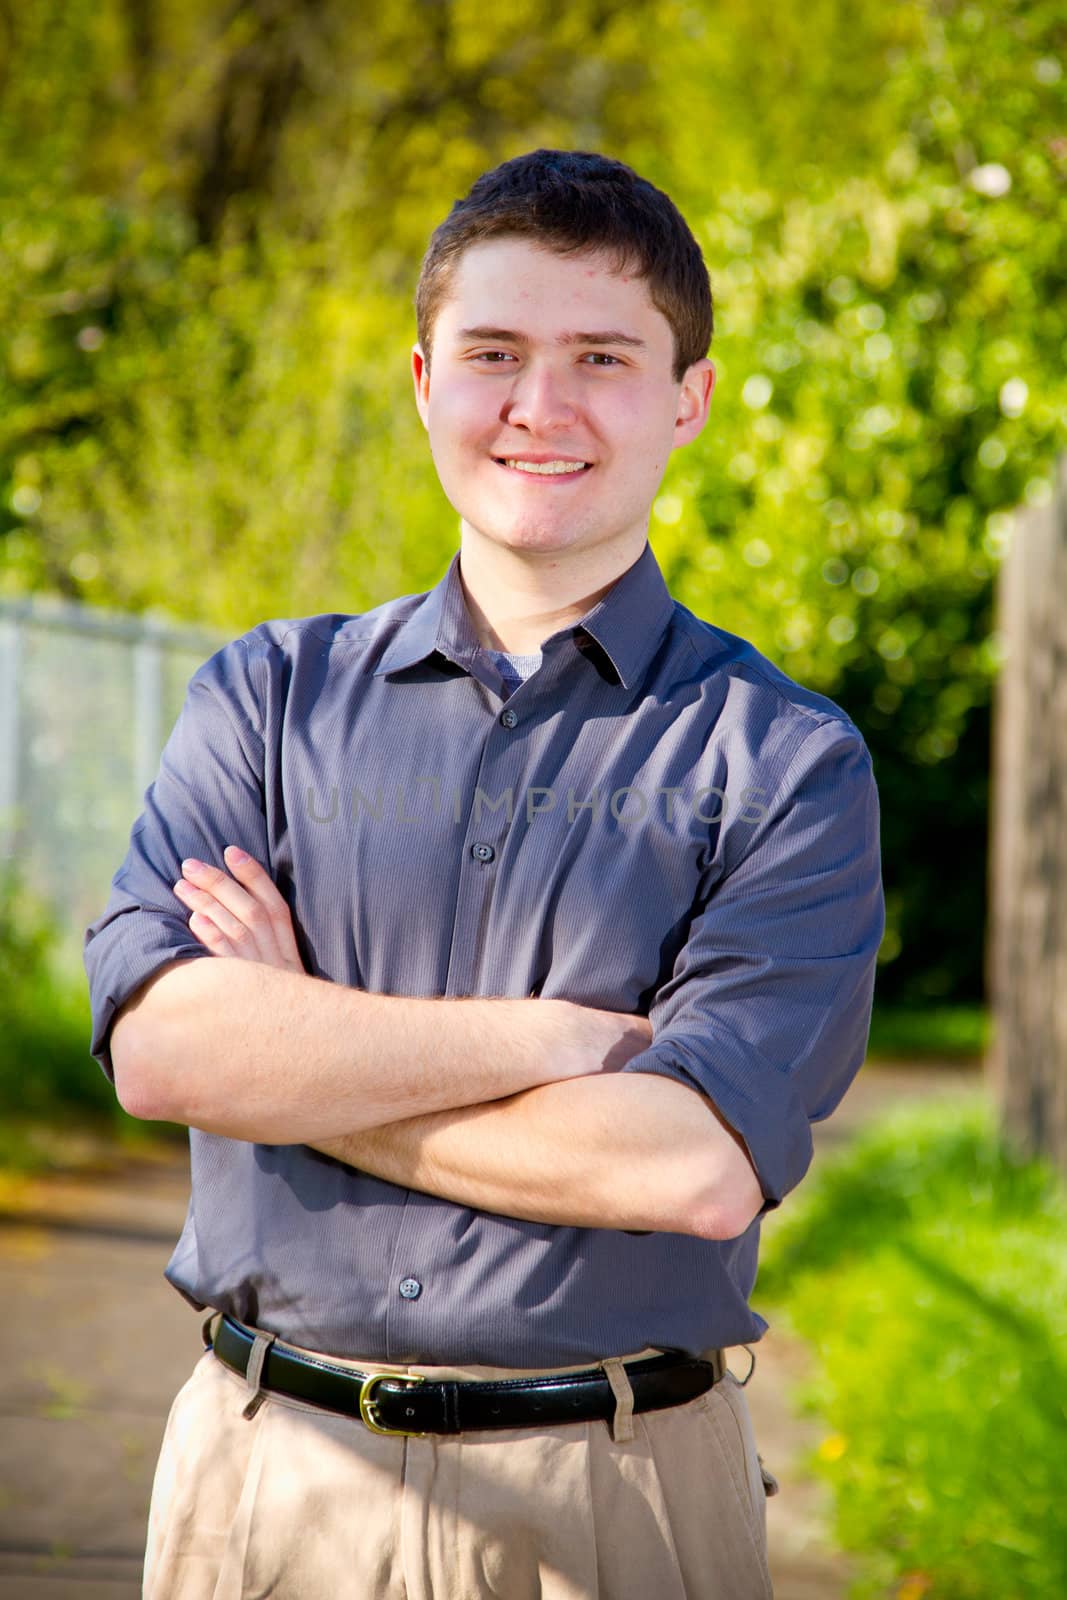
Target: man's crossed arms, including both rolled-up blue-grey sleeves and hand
540,1110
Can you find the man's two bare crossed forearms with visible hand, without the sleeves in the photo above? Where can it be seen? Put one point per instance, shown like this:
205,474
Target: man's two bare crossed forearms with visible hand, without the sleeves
511,1106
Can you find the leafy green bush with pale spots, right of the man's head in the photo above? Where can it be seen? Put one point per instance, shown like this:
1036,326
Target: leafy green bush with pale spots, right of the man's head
892,385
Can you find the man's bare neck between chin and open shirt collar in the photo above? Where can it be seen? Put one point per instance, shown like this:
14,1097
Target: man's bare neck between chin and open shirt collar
518,599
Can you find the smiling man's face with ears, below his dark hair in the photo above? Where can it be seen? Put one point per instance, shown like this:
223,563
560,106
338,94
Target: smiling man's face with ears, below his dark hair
554,361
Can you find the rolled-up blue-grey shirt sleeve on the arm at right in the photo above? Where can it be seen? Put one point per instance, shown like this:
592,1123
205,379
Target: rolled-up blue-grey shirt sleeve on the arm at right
769,1006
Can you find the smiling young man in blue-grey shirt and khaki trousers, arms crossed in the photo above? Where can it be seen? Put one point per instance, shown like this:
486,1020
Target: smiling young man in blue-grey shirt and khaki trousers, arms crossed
545,921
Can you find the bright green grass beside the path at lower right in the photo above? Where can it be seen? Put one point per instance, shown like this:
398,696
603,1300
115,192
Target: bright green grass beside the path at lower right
927,1268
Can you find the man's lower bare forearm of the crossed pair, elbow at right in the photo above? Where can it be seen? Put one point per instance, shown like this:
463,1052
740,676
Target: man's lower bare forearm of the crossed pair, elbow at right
623,1151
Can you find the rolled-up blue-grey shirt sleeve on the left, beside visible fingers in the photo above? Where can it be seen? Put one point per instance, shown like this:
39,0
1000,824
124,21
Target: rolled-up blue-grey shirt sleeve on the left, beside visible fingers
209,794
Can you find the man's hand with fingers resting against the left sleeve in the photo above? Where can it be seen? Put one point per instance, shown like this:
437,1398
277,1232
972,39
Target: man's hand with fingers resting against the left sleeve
241,916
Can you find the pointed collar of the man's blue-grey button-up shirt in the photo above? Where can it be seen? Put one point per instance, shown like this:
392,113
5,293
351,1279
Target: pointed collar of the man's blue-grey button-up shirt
628,623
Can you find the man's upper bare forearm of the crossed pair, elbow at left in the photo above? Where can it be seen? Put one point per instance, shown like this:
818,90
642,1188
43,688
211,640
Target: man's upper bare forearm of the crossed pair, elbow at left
276,1057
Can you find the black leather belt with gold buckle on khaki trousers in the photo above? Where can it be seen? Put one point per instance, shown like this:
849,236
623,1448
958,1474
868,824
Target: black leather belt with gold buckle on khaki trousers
406,1404
